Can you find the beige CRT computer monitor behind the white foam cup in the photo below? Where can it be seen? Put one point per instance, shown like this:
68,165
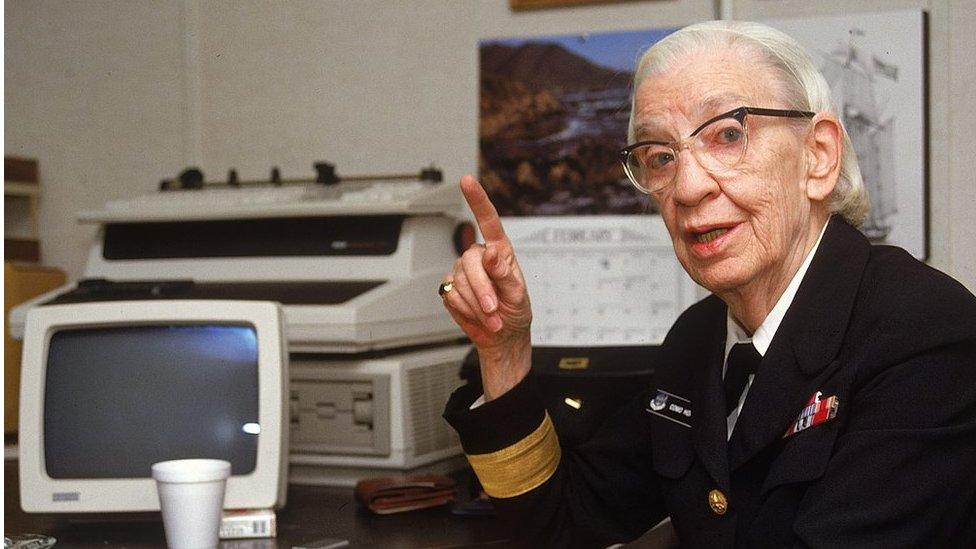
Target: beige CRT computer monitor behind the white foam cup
109,388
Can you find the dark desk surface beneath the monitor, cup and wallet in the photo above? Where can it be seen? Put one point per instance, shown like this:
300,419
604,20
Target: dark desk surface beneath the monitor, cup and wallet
312,513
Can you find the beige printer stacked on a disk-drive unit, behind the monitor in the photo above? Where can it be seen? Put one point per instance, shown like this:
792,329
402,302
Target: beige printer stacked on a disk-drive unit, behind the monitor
353,261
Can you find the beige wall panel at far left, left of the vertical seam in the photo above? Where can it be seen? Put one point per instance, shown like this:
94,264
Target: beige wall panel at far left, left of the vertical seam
94,91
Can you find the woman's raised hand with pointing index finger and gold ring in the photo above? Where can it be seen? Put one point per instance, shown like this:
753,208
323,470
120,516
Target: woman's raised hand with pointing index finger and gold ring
489,300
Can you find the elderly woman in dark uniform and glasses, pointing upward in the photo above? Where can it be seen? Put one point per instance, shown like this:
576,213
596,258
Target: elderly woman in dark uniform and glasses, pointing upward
824,395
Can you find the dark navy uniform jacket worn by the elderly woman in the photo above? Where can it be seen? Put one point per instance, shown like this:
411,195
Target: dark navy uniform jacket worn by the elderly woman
892,339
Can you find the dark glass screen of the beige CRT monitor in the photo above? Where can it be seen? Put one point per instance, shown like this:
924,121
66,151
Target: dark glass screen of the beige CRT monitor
118,399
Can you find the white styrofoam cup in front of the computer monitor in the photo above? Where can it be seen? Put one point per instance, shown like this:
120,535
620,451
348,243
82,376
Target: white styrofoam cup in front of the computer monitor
191,497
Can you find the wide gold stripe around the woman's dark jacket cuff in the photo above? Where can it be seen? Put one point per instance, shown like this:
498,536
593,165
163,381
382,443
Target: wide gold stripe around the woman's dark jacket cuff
521,467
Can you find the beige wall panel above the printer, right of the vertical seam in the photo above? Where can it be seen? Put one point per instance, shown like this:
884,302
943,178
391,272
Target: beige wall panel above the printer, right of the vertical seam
373,88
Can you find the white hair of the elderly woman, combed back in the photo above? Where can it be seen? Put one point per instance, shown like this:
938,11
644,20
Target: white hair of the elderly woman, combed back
800,81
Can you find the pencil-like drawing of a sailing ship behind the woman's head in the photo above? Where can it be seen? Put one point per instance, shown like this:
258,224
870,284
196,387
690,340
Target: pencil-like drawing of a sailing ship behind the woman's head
854,77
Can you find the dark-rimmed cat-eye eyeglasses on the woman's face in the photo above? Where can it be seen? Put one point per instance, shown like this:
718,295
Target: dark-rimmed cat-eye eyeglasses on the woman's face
719,145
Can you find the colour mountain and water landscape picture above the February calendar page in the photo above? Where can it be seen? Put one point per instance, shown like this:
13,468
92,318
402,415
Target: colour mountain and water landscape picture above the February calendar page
553,114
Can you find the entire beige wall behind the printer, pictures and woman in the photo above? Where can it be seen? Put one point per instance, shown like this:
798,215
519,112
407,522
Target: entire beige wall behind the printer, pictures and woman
113,96
